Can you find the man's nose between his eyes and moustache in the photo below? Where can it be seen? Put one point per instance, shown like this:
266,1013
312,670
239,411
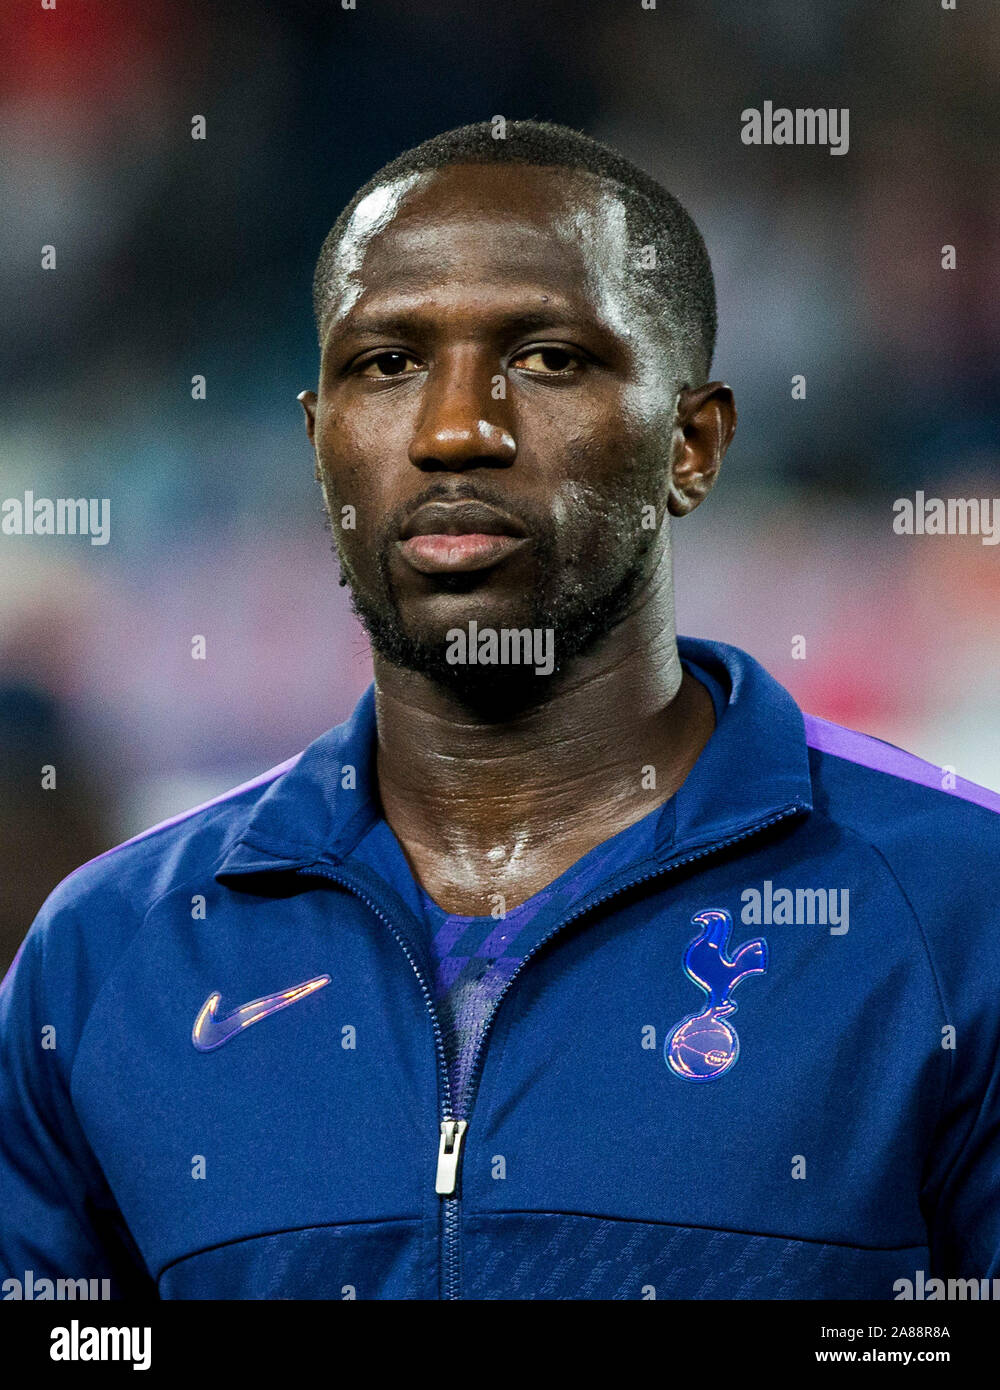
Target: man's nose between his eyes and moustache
461,425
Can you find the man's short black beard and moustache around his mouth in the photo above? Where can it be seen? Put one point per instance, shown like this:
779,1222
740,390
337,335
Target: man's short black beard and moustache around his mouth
586,580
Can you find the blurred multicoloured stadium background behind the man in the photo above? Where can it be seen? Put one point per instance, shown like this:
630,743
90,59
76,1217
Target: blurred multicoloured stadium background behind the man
179,258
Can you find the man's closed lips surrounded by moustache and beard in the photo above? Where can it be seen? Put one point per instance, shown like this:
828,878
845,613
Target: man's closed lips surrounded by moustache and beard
460,537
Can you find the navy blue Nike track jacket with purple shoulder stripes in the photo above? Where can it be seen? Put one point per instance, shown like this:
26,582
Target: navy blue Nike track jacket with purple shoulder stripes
760,1061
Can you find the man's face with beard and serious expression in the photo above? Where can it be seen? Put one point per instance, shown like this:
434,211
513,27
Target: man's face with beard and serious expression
496,409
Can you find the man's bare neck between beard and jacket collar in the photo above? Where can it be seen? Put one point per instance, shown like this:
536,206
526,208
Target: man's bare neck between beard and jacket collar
485,806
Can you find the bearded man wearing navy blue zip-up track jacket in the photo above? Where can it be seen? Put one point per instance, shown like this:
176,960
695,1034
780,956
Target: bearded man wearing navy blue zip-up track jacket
447,1006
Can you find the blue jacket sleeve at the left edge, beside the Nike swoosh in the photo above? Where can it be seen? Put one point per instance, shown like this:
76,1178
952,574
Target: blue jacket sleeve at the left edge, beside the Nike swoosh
58,1216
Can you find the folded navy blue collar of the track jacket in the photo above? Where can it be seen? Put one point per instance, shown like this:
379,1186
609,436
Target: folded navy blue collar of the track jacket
755,767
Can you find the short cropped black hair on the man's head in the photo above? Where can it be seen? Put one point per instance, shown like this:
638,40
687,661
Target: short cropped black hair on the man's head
678,287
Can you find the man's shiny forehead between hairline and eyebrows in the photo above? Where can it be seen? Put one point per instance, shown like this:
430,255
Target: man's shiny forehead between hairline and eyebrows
469,227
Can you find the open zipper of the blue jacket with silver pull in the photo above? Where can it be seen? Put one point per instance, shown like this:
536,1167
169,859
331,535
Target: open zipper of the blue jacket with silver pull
453,1129
